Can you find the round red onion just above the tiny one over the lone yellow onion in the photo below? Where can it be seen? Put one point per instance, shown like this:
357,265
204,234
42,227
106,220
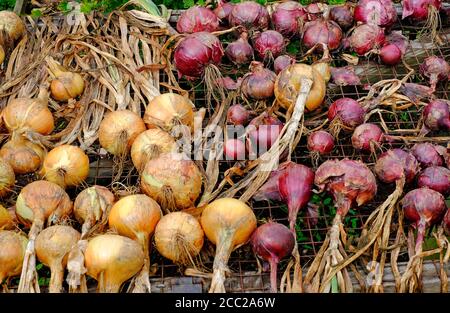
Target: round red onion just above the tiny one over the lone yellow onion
269,44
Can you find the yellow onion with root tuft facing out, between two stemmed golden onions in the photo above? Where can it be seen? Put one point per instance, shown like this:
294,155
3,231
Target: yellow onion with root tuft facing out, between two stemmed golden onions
179,237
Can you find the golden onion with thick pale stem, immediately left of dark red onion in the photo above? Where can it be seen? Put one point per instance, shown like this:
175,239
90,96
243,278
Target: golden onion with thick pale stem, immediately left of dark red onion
228,223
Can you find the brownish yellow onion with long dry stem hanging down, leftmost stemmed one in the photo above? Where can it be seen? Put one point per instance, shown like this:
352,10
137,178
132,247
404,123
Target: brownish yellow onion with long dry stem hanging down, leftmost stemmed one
40,202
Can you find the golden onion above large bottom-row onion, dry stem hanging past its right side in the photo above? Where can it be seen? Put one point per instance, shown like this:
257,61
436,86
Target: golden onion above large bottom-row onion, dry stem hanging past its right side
136,217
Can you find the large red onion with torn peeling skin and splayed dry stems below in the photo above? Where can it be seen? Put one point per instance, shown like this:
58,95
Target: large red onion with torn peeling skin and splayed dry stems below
350,182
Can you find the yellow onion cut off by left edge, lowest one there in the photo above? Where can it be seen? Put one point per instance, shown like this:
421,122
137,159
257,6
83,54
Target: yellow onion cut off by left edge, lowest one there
12,252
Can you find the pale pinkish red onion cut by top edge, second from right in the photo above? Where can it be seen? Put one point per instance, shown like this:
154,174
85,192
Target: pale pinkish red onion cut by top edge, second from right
378,12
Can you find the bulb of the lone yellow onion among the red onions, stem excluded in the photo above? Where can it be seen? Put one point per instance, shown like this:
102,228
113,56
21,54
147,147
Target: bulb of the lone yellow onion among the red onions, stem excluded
290,79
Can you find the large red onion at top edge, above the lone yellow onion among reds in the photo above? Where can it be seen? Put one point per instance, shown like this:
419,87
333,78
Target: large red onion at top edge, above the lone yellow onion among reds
287,18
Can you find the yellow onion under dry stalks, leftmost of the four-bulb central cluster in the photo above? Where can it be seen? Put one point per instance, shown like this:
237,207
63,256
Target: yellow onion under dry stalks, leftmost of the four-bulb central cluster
118,130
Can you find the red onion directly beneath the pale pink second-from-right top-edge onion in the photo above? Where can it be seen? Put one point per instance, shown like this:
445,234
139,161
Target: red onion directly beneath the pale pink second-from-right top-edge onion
366,37
